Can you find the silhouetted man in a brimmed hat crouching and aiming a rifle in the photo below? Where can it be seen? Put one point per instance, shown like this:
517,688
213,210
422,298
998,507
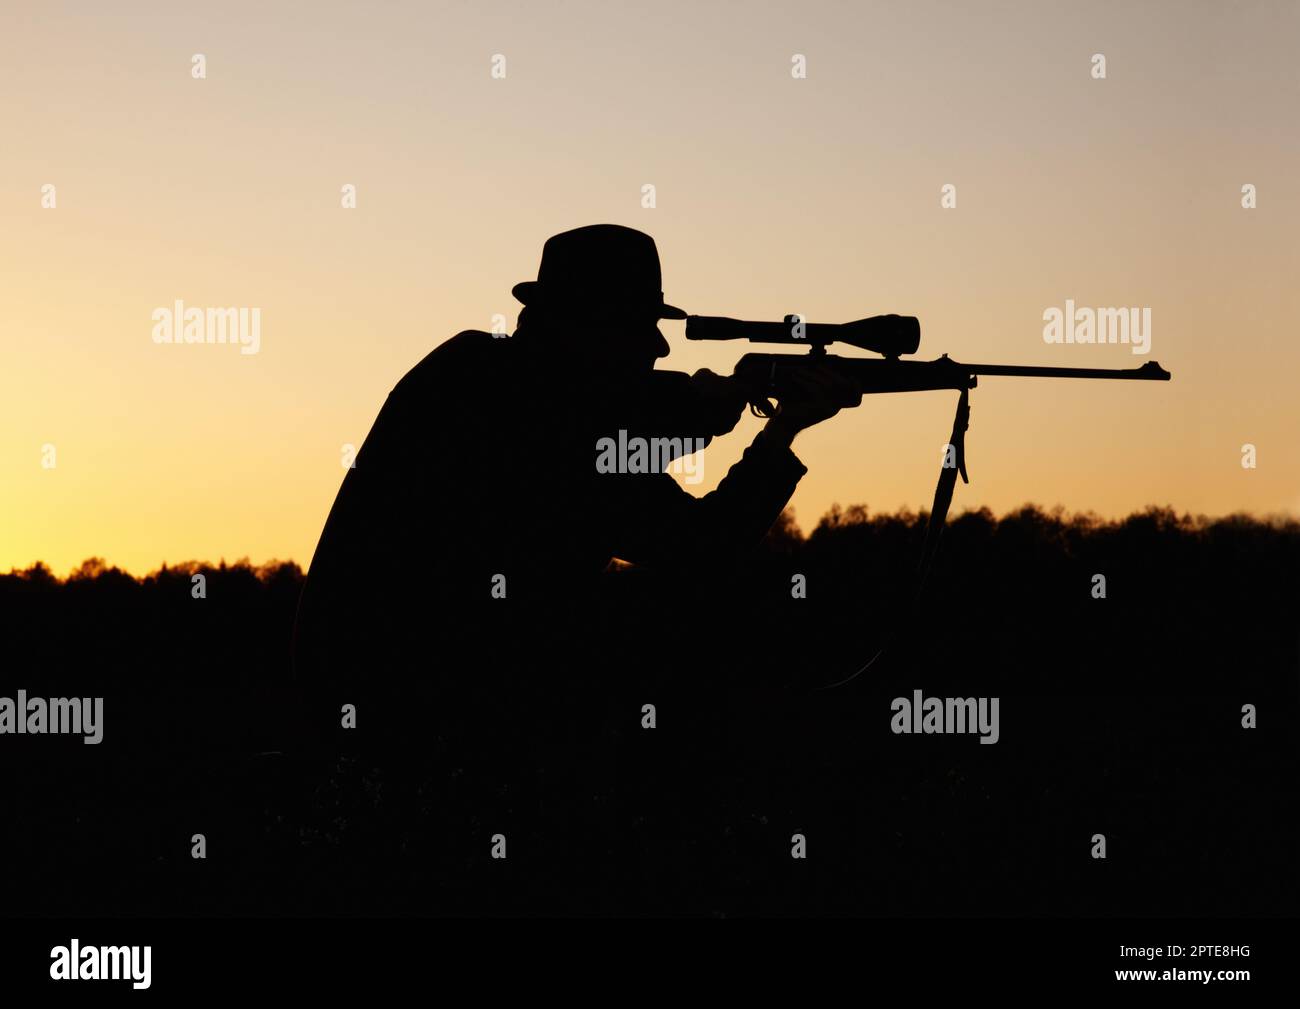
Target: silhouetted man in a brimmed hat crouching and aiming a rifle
473,534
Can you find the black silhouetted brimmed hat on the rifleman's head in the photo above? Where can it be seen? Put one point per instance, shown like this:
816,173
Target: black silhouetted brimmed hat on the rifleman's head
600,267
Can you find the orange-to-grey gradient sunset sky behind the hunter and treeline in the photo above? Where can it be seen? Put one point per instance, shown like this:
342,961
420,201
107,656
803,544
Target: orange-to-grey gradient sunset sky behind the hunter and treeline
775,196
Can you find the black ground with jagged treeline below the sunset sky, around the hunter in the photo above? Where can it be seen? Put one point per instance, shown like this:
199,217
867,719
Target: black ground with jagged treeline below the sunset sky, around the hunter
1119,717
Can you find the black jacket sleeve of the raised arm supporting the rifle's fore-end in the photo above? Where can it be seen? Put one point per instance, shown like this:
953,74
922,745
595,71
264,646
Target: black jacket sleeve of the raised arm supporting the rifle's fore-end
656,522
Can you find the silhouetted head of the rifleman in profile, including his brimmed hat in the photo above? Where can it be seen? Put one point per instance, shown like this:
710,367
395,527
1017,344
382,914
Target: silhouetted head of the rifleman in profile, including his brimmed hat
599,293
